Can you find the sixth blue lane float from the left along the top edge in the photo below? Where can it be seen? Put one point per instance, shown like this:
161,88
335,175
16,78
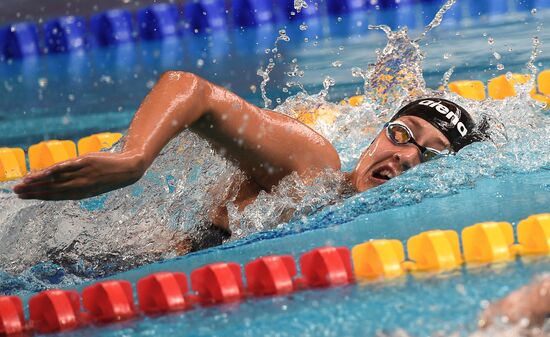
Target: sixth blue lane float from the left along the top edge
252,12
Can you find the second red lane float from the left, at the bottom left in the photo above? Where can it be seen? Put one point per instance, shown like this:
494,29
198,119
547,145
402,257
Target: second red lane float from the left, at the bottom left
55,311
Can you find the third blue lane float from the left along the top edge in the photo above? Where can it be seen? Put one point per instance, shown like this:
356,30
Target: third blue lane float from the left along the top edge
112,27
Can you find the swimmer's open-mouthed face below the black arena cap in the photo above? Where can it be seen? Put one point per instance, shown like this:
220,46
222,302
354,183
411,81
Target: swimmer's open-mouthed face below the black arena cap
384,160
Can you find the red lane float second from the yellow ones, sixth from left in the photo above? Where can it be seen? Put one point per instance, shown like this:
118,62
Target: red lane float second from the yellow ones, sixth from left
271,275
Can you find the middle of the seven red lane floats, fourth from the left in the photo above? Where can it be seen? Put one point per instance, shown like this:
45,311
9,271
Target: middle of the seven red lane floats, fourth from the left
163,292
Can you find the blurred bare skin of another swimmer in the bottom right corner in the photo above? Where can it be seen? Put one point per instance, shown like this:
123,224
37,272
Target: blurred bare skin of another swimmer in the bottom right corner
529,305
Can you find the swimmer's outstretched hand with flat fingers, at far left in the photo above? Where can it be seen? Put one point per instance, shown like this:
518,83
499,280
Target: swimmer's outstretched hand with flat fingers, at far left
83,177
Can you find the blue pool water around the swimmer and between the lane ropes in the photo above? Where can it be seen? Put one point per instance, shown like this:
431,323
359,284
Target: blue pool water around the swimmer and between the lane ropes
70,96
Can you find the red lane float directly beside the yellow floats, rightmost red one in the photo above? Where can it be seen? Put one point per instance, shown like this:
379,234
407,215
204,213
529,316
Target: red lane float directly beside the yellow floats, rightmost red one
326,266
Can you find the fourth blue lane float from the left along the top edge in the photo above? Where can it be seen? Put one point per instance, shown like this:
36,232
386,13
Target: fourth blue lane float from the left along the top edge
158,21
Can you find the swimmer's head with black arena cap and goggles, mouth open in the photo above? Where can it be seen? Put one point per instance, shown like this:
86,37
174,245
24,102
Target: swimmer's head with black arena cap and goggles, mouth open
418,132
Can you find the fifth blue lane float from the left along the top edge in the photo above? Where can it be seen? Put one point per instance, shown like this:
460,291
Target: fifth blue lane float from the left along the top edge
202,15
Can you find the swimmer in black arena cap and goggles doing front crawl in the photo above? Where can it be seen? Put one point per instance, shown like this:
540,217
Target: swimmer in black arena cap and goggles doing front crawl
267,146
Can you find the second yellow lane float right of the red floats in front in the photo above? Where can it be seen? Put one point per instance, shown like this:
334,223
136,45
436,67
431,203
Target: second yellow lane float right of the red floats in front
434,250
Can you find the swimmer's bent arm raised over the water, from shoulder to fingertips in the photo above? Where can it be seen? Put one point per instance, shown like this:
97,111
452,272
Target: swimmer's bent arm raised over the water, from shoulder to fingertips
265,144
